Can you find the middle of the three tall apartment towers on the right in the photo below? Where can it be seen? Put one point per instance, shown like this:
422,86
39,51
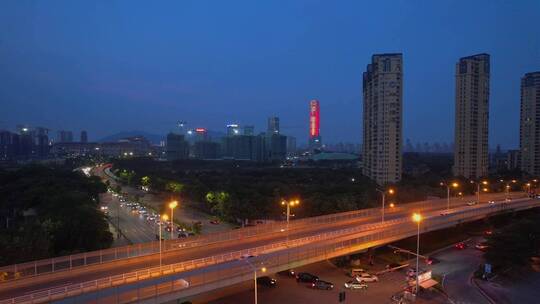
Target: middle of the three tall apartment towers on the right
472,116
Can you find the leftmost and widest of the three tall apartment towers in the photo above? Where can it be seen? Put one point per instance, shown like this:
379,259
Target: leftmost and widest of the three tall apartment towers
382,141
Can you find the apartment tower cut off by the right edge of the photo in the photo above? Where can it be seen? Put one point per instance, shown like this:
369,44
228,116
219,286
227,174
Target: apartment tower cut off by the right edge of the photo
529,128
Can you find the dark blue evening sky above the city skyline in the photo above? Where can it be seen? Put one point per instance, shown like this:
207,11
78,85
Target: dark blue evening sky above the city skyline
108,66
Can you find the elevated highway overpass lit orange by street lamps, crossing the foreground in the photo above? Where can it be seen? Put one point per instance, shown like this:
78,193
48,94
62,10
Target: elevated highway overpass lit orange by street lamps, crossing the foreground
204,263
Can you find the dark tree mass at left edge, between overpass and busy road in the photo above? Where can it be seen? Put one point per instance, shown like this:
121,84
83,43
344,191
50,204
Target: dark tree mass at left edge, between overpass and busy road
49,211
